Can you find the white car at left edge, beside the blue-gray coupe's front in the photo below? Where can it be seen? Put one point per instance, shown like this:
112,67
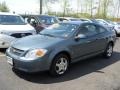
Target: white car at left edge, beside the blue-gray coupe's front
13,27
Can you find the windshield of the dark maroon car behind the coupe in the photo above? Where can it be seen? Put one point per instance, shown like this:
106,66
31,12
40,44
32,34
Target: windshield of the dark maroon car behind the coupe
48,20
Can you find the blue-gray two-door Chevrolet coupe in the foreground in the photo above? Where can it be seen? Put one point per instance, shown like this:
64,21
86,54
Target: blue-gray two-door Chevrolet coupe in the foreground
59,45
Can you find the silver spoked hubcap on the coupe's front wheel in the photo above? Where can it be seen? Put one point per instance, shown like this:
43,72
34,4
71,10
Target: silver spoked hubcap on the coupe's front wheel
61,65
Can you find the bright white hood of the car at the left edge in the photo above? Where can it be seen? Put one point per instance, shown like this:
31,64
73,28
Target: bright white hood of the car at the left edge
15,28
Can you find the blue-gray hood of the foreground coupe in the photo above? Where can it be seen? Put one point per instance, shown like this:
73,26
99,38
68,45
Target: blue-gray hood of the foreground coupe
35,41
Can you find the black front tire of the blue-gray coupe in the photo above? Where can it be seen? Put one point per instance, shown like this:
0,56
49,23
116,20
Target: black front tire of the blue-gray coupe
53,69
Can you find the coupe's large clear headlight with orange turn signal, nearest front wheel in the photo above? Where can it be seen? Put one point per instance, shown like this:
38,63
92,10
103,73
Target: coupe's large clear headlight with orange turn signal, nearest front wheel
34,54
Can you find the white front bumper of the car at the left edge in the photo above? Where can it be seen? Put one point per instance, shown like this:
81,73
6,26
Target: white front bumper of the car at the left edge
6,40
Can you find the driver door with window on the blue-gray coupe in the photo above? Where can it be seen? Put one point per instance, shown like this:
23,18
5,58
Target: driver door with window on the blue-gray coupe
87,45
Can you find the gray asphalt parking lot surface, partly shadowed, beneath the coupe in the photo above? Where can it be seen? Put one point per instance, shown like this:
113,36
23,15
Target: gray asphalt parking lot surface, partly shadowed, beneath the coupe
92,74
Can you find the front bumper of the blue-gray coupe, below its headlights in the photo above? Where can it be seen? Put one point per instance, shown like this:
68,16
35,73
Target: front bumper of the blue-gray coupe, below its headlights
32,66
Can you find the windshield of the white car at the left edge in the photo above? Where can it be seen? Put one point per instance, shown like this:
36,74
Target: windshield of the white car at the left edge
11,20
